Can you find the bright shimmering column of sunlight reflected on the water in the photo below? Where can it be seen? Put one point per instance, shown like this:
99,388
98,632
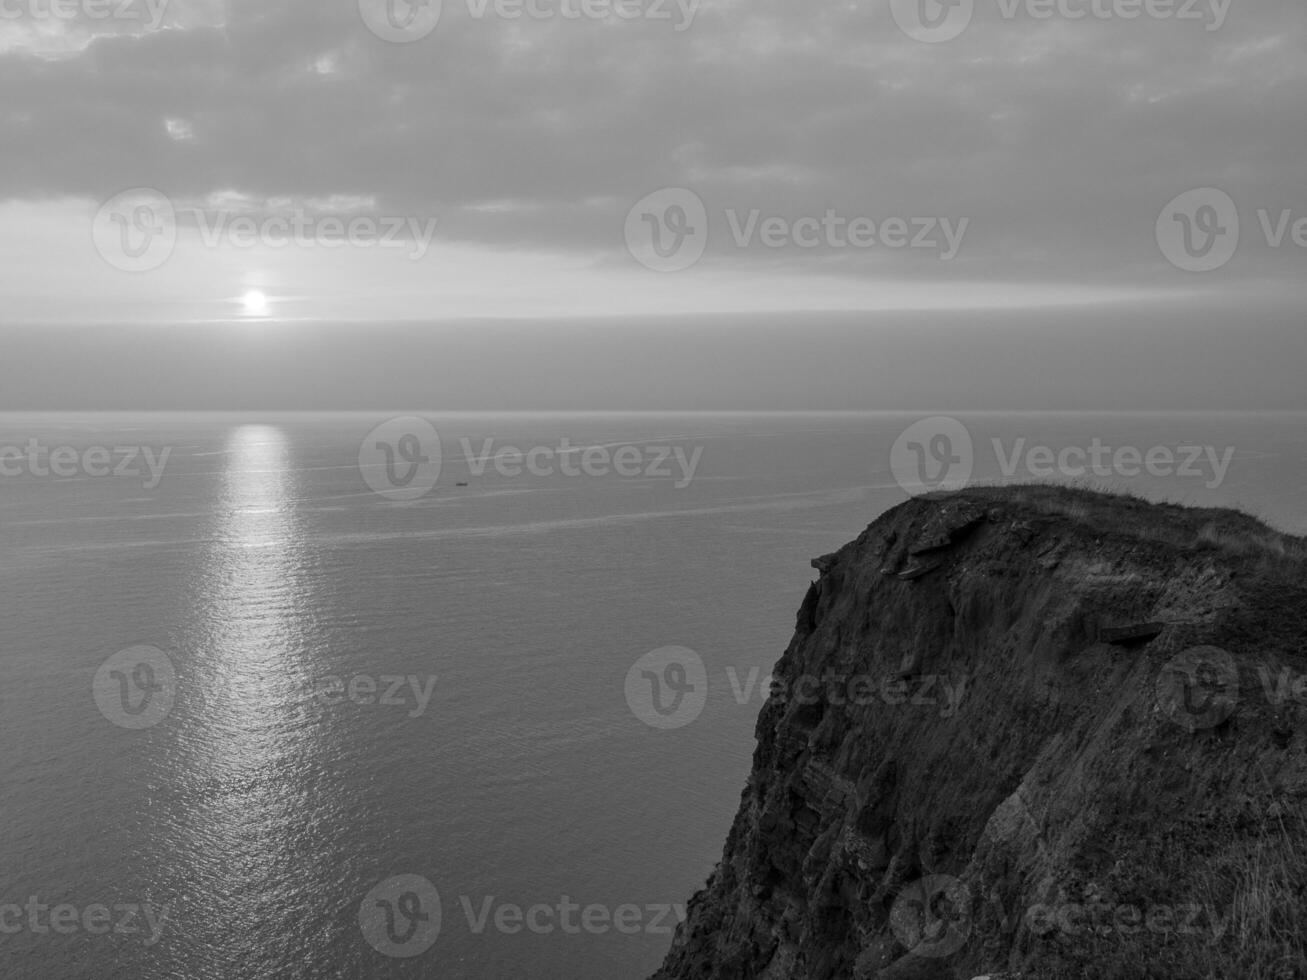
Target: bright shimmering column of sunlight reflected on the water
249,751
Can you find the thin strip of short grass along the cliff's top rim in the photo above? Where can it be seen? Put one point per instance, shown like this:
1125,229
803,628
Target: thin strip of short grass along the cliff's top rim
1122,514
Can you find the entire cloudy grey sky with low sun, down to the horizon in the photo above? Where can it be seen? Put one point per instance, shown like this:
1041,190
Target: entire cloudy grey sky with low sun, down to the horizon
308,184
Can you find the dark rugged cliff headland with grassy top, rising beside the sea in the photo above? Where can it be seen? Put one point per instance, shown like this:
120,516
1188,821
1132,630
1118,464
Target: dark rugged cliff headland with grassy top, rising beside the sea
1028,732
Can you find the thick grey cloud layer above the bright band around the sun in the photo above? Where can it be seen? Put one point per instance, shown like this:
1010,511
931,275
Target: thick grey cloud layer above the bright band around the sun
1058,139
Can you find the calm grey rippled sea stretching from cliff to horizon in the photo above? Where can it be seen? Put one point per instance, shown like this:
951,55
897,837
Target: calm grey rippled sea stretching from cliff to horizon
263,803
